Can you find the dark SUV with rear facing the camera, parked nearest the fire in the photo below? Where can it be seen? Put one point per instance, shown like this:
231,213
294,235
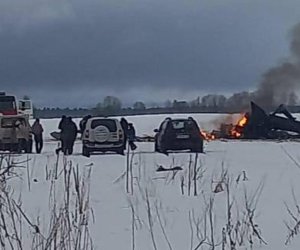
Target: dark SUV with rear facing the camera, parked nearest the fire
178,134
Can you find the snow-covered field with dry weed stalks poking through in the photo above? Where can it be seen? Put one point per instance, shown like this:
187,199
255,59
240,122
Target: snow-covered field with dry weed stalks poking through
263,173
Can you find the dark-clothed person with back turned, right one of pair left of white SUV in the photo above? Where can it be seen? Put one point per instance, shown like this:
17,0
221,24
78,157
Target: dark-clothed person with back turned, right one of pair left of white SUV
69,136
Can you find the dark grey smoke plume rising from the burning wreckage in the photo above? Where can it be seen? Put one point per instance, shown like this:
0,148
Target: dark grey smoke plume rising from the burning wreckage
279,84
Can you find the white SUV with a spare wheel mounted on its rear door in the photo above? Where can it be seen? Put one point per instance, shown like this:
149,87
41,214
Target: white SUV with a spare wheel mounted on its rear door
102,135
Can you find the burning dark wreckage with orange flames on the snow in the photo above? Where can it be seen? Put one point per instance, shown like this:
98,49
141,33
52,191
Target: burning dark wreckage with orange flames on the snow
257,124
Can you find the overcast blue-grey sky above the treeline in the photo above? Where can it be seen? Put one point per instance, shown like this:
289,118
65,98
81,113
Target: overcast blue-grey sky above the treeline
74,52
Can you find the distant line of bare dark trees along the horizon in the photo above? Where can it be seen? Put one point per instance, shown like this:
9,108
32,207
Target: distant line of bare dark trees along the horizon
112,106
